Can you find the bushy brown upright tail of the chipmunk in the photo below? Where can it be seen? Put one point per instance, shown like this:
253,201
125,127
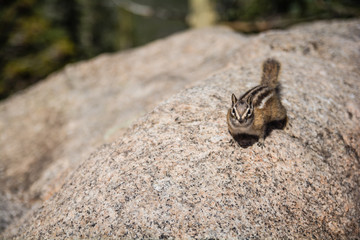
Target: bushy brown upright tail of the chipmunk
271,69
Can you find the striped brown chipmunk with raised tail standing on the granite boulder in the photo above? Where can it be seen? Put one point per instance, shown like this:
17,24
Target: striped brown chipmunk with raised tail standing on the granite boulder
260,105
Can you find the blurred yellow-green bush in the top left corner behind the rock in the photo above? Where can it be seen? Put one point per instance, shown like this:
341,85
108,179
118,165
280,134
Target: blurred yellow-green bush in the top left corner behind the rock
31,45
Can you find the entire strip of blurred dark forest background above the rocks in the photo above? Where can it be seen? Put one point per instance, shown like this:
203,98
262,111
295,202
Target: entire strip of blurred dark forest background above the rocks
38,37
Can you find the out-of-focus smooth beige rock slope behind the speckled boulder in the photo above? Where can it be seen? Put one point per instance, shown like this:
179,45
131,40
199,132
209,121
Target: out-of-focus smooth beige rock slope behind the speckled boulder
49,129
